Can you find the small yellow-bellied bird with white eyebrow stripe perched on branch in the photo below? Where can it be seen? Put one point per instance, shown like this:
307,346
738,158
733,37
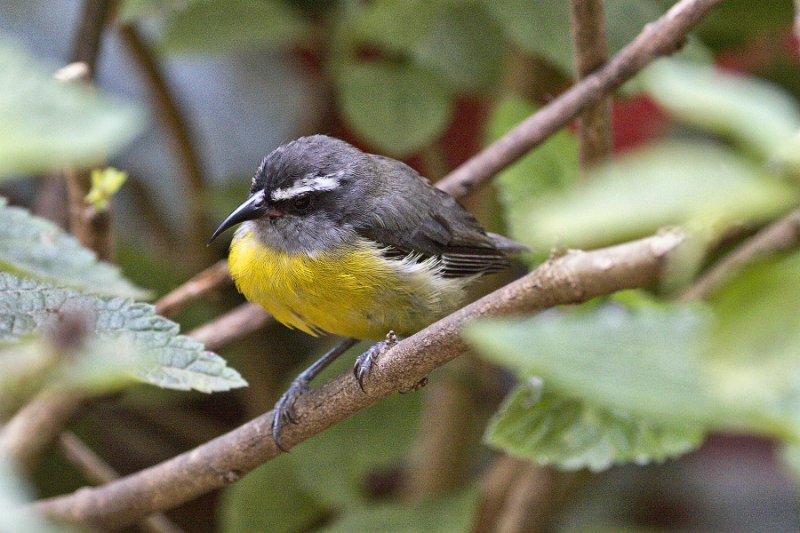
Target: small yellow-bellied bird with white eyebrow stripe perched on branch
334,240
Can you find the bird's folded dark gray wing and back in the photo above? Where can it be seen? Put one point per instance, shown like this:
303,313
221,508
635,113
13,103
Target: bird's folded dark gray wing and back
413,219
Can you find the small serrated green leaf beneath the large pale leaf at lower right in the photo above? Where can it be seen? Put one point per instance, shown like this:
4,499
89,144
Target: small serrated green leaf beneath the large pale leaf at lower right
573,434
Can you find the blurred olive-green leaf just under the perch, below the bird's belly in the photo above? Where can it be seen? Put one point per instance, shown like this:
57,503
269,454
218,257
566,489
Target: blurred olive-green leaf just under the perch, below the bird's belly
334,465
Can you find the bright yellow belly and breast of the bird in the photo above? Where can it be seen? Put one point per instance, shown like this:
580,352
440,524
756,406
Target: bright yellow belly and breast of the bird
357,293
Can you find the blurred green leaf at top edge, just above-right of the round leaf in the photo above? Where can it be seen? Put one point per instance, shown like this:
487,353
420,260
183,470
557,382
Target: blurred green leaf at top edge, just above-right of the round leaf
465,46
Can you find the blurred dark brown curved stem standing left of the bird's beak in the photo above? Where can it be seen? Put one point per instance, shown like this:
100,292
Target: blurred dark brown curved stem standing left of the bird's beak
169,113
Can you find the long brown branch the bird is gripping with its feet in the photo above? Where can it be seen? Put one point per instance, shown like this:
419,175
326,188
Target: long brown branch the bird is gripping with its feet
571,278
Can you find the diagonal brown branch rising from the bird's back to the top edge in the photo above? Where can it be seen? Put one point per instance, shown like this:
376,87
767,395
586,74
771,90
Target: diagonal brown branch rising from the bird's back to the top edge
658,38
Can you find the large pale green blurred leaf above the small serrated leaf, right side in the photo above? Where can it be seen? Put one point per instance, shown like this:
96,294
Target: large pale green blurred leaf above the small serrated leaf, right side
659,364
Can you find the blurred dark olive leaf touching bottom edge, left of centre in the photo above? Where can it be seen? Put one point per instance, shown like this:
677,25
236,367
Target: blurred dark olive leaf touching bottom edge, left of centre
269,499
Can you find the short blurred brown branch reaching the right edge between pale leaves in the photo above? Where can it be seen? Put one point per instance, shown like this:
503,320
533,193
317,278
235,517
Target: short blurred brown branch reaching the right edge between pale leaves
781,235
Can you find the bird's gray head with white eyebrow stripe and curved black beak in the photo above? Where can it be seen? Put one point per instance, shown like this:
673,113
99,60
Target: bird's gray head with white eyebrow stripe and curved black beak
306,195
